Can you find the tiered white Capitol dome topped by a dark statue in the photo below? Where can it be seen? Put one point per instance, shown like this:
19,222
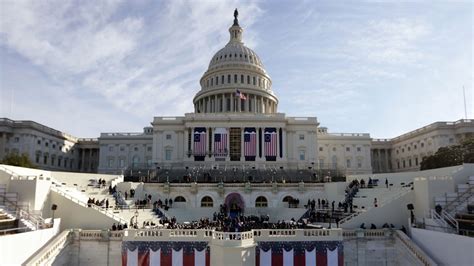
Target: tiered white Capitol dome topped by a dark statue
236,80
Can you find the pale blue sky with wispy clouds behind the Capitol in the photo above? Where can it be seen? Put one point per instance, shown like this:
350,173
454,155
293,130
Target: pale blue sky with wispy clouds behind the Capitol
379,67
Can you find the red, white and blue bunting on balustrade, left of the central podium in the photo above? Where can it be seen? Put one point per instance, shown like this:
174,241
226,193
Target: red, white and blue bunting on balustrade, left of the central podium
147,253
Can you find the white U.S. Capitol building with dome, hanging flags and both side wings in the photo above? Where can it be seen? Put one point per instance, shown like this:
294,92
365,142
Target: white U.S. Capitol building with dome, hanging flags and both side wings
235,124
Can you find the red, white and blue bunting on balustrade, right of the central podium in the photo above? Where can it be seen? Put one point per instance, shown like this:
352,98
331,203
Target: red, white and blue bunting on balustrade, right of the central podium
289,253
